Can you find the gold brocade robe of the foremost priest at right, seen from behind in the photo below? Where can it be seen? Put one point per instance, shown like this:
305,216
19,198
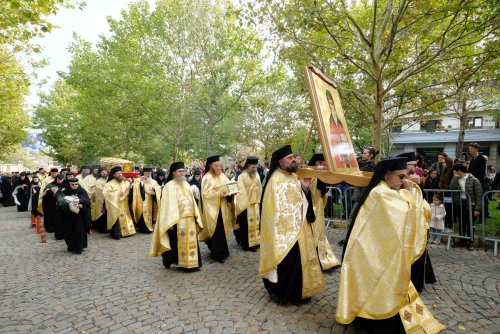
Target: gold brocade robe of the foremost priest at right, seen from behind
375,282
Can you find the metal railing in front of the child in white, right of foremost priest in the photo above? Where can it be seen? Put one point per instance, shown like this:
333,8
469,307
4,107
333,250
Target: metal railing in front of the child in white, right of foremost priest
459,223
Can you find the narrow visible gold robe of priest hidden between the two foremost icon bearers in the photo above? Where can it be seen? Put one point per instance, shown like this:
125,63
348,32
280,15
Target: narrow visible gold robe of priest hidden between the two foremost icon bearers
326,256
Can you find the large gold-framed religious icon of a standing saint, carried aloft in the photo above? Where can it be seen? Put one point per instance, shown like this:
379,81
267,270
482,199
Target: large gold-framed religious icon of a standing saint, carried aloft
330,120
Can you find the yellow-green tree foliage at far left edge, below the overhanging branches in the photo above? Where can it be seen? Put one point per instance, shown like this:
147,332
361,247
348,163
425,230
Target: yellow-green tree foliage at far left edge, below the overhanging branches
13,88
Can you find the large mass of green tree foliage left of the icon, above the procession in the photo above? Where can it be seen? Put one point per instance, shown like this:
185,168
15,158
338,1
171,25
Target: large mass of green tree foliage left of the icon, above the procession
171,81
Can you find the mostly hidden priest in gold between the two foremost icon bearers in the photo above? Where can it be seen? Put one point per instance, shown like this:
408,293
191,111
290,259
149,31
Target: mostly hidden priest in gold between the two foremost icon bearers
327,258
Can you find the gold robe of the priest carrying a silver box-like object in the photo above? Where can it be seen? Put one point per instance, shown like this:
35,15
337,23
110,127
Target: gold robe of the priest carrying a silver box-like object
211,187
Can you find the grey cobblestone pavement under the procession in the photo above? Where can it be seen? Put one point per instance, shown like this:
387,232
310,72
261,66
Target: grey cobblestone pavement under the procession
115,287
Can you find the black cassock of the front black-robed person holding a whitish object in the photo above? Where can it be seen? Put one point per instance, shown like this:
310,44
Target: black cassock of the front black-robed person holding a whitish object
75,225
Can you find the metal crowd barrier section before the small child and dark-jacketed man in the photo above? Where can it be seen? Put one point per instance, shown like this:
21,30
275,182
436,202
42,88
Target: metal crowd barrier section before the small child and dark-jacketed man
447,197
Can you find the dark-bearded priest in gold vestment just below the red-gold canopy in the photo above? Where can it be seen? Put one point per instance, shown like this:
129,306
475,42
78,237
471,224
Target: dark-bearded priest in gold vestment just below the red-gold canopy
115,192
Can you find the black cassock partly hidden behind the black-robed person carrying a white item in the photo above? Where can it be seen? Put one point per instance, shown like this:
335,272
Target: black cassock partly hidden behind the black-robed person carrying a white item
51,218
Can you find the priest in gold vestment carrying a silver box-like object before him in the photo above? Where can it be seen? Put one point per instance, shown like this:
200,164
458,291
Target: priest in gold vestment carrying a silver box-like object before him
218,217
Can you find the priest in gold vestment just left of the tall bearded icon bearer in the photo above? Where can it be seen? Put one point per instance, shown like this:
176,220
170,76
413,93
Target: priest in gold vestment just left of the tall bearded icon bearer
247,206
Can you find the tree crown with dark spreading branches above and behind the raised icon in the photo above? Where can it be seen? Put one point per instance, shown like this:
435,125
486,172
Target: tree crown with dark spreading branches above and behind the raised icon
384,54
